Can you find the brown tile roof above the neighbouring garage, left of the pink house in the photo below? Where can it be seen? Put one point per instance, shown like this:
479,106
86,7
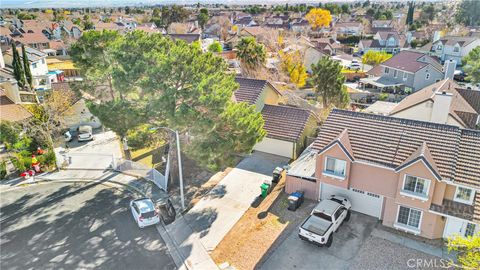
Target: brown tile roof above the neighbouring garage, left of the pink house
285,122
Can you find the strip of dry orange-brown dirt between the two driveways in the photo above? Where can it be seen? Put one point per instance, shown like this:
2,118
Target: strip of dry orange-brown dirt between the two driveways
263,227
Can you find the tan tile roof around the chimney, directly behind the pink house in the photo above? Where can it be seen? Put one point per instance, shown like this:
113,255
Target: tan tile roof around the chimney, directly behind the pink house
460,108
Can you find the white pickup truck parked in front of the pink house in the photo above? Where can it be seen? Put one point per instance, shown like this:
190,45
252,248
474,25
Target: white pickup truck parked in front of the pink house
324,220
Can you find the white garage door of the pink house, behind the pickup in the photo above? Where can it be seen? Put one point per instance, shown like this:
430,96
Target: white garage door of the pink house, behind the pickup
362,201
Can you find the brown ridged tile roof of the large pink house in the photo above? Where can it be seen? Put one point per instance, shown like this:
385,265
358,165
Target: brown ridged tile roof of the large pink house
390,141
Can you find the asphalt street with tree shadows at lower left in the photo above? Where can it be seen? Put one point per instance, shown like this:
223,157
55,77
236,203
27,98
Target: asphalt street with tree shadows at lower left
75,226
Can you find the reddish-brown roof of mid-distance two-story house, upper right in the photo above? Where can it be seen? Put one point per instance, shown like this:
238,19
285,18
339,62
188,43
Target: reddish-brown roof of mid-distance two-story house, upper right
407,60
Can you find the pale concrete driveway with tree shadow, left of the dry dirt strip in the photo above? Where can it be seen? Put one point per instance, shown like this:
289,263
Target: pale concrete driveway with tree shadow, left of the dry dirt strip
215,214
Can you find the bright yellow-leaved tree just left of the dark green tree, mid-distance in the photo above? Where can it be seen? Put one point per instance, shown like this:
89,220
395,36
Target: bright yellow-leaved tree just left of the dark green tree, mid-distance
291,63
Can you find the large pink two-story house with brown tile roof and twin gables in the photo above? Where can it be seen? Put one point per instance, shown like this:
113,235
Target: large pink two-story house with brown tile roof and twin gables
418,177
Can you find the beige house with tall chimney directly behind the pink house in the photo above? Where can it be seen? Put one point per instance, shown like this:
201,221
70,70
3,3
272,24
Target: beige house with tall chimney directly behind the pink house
444,102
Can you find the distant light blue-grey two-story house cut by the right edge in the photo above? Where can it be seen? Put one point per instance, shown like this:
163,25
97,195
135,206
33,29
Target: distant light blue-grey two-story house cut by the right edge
454,48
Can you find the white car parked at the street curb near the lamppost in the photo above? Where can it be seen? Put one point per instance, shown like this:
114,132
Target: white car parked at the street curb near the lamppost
144,212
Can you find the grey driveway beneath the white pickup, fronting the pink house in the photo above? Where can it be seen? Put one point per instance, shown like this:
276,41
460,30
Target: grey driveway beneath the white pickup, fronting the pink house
358,244
